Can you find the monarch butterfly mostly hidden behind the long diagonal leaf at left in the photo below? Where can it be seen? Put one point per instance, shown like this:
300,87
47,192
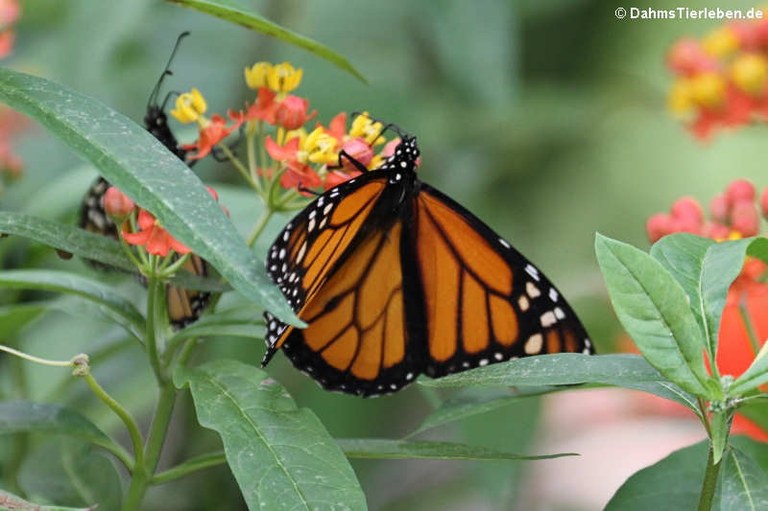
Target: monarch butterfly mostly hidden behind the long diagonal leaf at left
184,306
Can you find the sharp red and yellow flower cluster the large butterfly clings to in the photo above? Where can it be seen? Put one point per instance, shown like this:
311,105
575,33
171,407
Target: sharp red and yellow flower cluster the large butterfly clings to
295,156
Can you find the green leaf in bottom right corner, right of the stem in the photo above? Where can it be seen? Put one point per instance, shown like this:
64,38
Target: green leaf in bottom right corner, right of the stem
743,484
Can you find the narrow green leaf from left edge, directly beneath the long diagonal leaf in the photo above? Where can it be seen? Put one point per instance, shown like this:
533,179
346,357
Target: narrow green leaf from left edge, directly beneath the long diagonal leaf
66,237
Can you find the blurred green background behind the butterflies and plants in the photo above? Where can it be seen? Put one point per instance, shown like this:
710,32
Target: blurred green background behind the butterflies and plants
545,118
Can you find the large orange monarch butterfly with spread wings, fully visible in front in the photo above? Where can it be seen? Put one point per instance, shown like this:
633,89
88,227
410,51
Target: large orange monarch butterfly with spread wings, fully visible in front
395,279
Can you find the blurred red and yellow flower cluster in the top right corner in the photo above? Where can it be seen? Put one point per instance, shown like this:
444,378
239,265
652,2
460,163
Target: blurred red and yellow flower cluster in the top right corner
721,80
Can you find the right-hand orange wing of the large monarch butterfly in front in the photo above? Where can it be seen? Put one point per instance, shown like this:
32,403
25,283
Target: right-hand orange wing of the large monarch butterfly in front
484,302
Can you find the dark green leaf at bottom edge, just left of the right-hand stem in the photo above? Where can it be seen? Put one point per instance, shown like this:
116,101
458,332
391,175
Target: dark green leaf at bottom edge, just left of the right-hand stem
672,483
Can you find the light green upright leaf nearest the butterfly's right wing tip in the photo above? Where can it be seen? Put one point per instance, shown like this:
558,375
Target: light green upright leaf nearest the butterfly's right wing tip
654,310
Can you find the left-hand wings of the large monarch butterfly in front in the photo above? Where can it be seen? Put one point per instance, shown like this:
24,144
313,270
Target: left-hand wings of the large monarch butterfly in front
339,264
